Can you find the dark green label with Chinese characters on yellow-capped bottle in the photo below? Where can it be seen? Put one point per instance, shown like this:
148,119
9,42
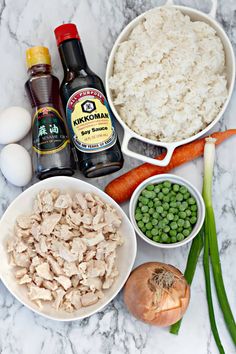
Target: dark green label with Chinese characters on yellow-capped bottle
49,131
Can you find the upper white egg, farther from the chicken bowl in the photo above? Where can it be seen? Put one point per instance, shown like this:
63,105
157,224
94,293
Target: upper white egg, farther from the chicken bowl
15,123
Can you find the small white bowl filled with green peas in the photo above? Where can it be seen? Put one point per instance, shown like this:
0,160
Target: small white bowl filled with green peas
167,211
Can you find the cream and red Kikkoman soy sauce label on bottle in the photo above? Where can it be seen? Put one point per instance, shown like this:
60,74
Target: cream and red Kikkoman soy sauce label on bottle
90,121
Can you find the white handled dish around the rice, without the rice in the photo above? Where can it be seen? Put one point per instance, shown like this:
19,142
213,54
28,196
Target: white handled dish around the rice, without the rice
194,15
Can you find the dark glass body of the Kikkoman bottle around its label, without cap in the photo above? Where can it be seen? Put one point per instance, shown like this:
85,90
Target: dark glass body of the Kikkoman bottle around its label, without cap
79,76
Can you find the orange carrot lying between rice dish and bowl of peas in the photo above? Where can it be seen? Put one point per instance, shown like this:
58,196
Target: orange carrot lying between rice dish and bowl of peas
121,188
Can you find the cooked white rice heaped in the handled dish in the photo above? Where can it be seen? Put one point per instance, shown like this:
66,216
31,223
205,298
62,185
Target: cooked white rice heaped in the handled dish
169,78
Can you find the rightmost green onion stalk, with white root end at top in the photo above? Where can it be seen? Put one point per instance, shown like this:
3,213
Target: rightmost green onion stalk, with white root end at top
210,234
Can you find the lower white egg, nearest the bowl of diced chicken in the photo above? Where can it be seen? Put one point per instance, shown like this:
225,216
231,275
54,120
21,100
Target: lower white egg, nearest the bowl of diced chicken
16,165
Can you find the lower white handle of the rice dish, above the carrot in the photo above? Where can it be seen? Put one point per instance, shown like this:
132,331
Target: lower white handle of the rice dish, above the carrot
136,155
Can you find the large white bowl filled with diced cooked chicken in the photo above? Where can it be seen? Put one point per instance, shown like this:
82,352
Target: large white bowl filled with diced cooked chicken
66,248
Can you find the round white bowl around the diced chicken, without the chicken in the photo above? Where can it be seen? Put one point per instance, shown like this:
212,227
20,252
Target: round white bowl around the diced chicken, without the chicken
23,204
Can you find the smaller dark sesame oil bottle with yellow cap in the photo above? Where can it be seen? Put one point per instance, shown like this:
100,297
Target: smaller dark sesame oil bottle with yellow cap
51,148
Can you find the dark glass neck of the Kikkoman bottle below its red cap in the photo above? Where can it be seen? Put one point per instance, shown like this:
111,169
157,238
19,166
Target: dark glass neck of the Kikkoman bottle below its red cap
72,55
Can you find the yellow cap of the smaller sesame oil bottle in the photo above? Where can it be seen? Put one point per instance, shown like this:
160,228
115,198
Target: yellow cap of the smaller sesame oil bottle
37,55
